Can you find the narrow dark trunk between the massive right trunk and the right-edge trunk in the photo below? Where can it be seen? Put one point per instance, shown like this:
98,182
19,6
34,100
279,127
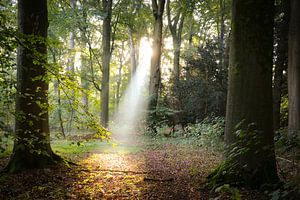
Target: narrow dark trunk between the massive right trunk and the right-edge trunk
281,62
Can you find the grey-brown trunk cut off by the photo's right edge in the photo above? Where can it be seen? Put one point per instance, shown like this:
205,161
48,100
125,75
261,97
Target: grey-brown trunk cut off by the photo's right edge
294,70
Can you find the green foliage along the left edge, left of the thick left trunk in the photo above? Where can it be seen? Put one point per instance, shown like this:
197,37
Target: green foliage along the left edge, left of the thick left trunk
8,45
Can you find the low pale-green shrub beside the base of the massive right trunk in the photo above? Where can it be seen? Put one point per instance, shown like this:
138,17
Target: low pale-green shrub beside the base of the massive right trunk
209,132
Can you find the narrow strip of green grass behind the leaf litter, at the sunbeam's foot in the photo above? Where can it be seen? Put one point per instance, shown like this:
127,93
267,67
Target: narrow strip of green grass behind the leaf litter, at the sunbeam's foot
67,146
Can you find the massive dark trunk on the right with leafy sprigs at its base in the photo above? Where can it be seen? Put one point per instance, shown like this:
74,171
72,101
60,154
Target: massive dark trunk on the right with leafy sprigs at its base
249,122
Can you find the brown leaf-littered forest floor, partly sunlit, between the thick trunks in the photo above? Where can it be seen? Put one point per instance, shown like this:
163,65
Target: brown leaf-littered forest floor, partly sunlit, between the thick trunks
142,168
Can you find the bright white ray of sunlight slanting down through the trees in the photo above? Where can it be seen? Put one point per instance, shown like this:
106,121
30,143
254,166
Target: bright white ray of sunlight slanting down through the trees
133,105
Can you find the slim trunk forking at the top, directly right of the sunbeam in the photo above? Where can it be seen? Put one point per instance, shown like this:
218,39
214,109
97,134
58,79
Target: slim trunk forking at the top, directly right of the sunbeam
158,9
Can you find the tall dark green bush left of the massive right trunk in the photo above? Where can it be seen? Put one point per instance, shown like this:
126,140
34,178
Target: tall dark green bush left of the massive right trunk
202,90
